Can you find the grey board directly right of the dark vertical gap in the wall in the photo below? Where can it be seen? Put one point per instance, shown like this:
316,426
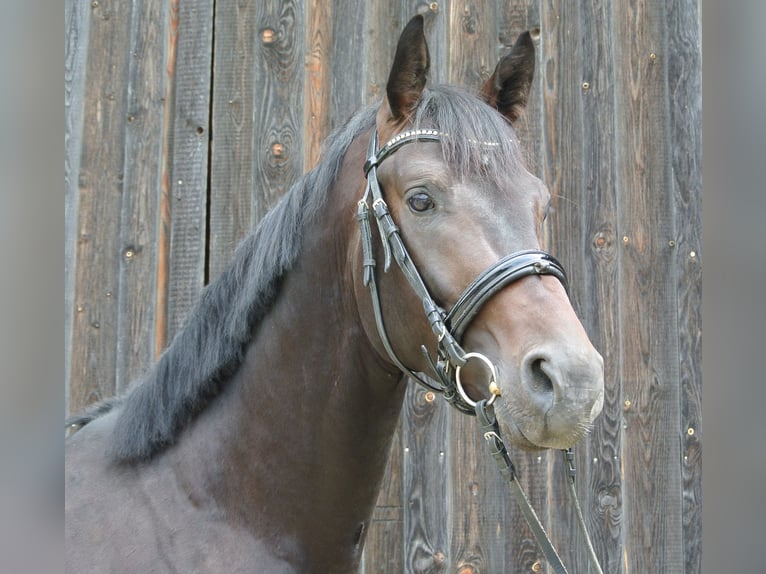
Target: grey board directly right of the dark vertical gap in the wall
232,136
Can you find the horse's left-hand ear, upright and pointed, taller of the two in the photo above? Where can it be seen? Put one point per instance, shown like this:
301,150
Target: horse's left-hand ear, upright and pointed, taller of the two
408,73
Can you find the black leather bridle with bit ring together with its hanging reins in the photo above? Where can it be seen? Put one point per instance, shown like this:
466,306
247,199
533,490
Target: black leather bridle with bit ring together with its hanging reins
449,327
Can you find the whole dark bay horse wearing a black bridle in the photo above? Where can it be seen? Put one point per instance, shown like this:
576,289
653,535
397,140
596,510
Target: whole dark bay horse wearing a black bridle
258,441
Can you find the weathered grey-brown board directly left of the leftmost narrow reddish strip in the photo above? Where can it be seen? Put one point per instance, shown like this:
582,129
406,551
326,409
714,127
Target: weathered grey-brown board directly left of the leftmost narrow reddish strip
142,182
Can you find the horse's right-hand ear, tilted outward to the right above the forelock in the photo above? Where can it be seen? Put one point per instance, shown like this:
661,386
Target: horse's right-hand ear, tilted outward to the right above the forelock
508,87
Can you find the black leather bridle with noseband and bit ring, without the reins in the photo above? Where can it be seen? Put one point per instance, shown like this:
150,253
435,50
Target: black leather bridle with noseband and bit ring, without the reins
448,327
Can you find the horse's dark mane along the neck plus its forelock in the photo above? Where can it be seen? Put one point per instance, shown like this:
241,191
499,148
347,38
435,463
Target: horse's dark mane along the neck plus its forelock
210,347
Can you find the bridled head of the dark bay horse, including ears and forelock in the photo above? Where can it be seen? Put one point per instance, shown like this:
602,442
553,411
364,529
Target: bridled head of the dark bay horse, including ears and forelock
461,201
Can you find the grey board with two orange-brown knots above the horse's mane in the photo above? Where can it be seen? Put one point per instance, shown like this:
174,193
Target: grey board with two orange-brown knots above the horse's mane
279,96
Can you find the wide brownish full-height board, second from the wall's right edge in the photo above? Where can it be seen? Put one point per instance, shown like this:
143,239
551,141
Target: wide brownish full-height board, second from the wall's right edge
648,293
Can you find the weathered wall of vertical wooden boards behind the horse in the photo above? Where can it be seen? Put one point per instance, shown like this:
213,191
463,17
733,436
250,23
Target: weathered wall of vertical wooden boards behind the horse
186,120
